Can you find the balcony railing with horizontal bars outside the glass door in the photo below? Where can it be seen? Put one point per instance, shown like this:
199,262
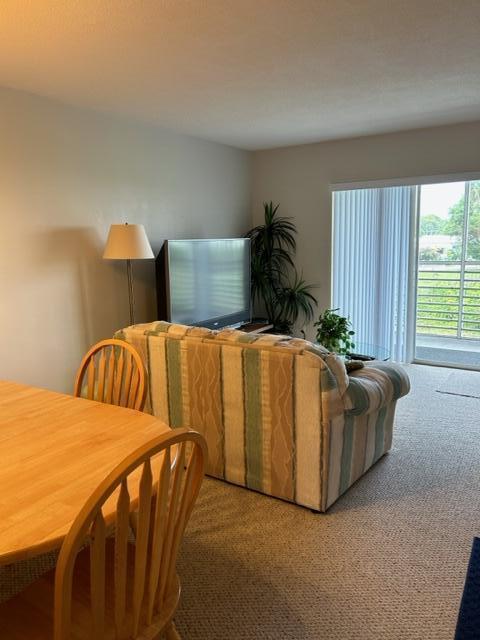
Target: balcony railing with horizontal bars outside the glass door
448,299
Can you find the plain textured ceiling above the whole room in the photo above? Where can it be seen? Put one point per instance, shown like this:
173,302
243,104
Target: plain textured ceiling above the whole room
251,73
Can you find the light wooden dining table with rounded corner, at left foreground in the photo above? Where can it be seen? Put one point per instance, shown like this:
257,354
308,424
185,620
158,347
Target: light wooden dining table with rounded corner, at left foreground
55,450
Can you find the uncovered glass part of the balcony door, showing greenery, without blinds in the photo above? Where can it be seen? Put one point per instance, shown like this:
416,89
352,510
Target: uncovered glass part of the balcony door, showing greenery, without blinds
448,283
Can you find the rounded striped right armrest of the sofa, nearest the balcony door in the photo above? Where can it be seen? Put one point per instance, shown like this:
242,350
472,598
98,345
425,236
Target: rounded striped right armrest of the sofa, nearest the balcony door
374,386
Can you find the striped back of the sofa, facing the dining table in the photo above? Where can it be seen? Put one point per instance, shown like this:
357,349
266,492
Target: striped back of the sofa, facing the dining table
247,394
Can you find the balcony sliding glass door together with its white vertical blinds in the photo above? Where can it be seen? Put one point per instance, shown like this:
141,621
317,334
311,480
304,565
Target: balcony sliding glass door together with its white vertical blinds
406,270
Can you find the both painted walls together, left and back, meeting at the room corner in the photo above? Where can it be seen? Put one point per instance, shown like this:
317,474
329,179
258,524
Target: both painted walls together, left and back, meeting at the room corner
66,174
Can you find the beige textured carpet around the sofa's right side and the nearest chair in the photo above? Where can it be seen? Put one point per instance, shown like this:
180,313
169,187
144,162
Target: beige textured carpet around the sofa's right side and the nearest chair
387,562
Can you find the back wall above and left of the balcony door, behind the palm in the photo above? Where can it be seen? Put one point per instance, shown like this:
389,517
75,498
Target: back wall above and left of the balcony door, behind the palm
299,178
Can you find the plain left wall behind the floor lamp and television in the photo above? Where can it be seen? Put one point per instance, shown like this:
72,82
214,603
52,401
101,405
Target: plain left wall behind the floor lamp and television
66,175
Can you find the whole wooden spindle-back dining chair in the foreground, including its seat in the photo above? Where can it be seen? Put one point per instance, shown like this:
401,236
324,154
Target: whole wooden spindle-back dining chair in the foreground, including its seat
105,587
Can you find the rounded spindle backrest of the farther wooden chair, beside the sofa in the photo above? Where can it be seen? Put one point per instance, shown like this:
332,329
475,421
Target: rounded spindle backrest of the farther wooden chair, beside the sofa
112,371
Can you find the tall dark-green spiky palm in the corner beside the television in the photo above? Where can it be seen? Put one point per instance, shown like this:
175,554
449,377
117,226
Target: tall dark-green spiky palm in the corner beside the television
276,285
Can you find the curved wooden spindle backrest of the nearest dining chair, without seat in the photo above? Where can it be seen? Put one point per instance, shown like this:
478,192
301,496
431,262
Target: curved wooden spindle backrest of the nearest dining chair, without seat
167,489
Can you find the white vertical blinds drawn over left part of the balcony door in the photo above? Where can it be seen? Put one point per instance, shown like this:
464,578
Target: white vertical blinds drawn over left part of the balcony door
371,264
